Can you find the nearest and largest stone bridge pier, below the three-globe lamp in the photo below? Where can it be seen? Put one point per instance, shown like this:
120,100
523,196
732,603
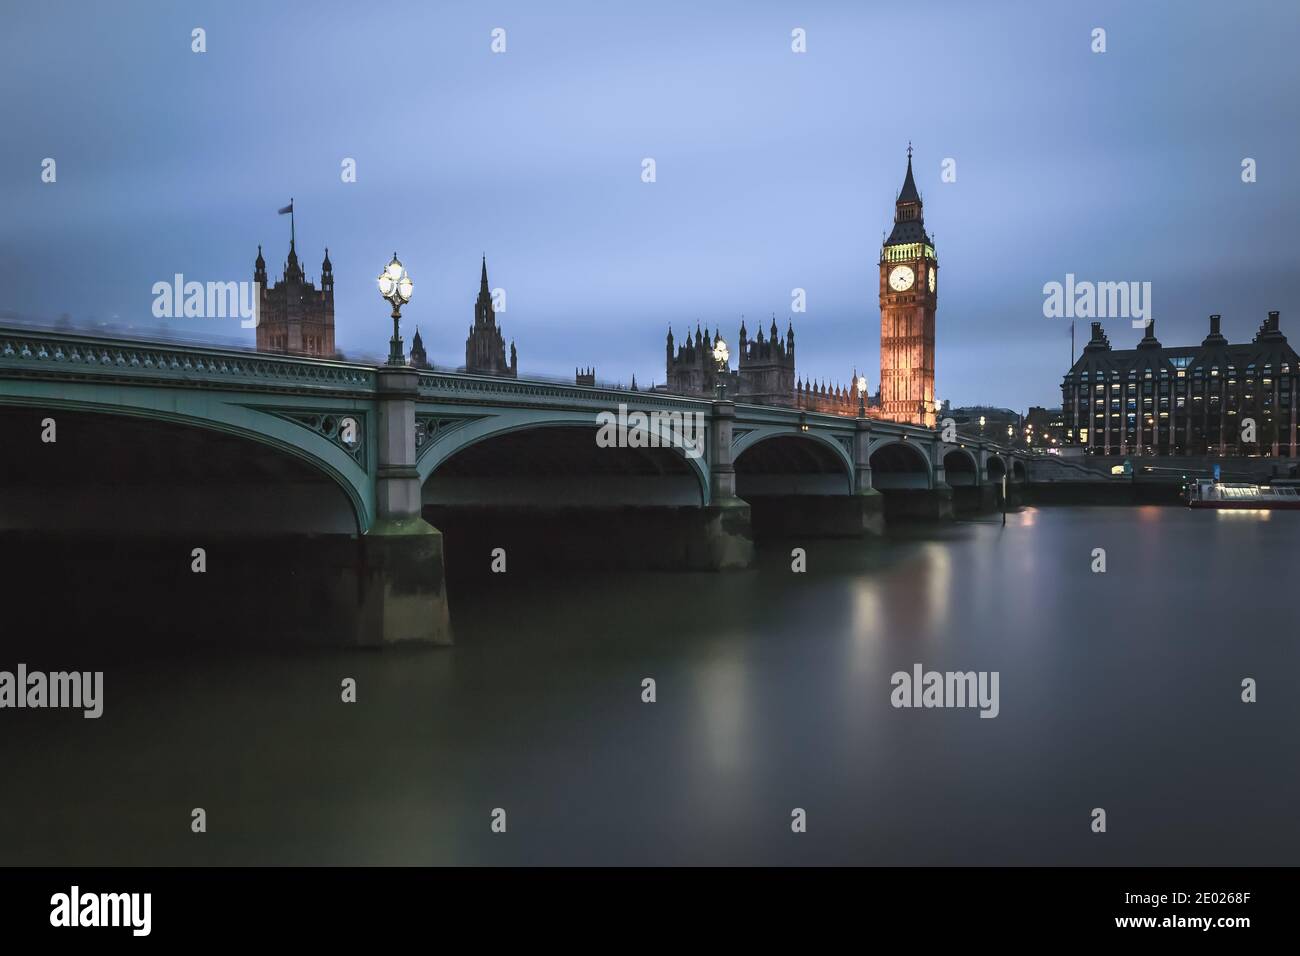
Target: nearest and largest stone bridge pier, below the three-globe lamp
404,592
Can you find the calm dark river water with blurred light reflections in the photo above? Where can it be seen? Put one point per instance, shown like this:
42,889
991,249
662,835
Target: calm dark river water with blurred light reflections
1119,690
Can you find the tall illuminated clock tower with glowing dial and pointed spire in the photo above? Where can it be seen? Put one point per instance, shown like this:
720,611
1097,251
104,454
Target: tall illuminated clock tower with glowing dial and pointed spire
909,275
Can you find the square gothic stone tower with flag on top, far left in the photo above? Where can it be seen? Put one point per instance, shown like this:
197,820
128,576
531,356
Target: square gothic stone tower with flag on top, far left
296,318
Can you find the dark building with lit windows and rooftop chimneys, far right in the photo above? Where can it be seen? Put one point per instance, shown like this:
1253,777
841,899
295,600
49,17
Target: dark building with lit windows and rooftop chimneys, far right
1215,399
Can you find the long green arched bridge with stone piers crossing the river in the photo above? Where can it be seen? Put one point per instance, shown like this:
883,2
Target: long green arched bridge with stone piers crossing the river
398,445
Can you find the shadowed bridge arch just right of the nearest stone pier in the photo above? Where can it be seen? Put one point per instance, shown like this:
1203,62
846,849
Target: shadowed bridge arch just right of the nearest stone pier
534,488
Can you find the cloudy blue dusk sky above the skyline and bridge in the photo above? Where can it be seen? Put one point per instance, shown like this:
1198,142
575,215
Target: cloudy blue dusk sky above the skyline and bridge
774,171
